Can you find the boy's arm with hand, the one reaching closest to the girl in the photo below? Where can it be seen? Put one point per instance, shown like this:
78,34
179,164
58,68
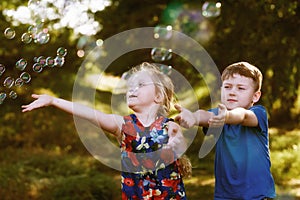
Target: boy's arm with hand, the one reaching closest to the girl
187,119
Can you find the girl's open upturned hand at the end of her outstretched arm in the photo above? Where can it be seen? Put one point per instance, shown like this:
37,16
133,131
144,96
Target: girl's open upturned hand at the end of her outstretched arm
40,101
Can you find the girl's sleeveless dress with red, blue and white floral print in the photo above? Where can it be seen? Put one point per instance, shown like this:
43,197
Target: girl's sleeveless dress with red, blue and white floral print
149,171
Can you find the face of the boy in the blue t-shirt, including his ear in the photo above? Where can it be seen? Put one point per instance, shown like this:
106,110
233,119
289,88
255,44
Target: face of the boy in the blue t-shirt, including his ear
238,91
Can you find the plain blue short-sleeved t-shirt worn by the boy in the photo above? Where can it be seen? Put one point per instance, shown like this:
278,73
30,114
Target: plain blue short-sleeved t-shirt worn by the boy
242,161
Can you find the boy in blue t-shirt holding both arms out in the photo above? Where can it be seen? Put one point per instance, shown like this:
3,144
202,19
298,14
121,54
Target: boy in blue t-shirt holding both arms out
242,159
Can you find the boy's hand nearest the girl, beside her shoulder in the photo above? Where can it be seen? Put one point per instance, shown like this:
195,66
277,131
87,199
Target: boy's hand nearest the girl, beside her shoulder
185,118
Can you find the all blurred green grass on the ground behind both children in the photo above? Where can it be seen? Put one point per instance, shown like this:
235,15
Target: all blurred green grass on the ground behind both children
44,174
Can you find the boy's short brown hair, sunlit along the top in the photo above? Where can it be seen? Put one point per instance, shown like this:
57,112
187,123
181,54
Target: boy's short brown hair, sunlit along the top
244,69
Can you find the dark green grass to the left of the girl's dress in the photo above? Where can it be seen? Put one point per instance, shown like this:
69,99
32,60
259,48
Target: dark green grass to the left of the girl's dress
39,174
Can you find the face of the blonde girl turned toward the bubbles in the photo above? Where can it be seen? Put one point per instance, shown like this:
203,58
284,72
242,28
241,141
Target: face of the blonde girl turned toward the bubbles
141,92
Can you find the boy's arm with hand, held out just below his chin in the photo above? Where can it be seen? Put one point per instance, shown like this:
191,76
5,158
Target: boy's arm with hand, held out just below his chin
235,116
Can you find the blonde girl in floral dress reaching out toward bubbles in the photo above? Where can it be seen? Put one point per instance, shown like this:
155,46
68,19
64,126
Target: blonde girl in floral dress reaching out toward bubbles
150,143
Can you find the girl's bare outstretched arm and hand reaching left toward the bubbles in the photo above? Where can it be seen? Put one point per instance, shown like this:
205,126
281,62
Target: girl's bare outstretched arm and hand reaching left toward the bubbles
109,122
